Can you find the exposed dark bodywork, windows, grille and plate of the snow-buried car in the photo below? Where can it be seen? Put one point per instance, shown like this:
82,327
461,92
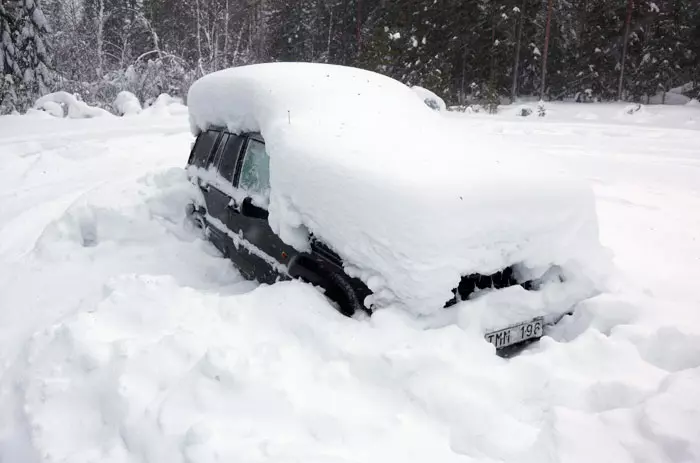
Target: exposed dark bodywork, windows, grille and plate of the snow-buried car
239,229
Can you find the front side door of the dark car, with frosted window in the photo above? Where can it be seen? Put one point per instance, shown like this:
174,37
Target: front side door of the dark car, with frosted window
268,254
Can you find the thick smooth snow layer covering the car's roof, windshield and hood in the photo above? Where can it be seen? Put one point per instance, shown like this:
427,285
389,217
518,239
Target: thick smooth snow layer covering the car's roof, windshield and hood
360,162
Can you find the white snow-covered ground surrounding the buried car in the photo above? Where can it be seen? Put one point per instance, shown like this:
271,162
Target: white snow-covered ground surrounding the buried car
124,338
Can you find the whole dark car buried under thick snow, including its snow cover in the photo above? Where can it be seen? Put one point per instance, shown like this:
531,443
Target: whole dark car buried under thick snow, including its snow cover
343,178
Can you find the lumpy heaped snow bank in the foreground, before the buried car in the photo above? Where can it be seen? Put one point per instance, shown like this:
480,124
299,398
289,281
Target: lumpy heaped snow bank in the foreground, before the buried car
158,372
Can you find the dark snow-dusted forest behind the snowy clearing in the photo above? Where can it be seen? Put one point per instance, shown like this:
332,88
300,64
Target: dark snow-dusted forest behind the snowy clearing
464,50
